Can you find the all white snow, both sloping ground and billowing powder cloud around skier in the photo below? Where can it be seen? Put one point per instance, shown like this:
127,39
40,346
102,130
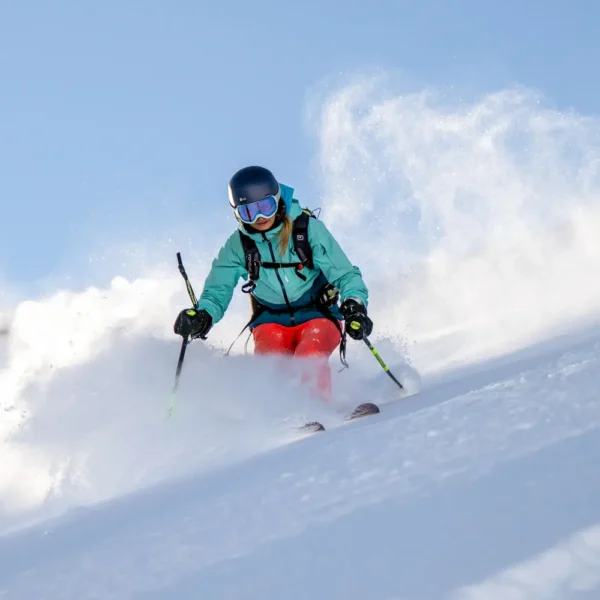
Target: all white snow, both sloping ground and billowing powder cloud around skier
481,483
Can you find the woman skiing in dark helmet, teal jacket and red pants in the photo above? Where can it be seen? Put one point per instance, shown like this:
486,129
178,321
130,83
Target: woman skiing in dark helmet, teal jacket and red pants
296,273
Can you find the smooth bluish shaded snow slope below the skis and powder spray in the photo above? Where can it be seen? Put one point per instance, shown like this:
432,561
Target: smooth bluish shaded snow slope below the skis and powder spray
419,485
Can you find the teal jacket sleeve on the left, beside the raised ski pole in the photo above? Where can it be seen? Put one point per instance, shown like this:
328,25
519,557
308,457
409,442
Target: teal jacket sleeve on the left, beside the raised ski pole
225,272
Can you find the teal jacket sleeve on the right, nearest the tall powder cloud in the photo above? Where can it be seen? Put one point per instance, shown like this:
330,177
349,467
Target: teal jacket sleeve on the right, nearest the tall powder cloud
332,260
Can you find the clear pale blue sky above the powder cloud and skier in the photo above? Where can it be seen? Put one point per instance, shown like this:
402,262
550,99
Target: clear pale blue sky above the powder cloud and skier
122,118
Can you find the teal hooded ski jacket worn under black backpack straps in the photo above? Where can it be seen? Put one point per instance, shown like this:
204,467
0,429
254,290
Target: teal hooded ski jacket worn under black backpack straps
275,286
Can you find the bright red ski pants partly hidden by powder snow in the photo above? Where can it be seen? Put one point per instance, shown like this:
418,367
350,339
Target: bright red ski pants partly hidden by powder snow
315,339
